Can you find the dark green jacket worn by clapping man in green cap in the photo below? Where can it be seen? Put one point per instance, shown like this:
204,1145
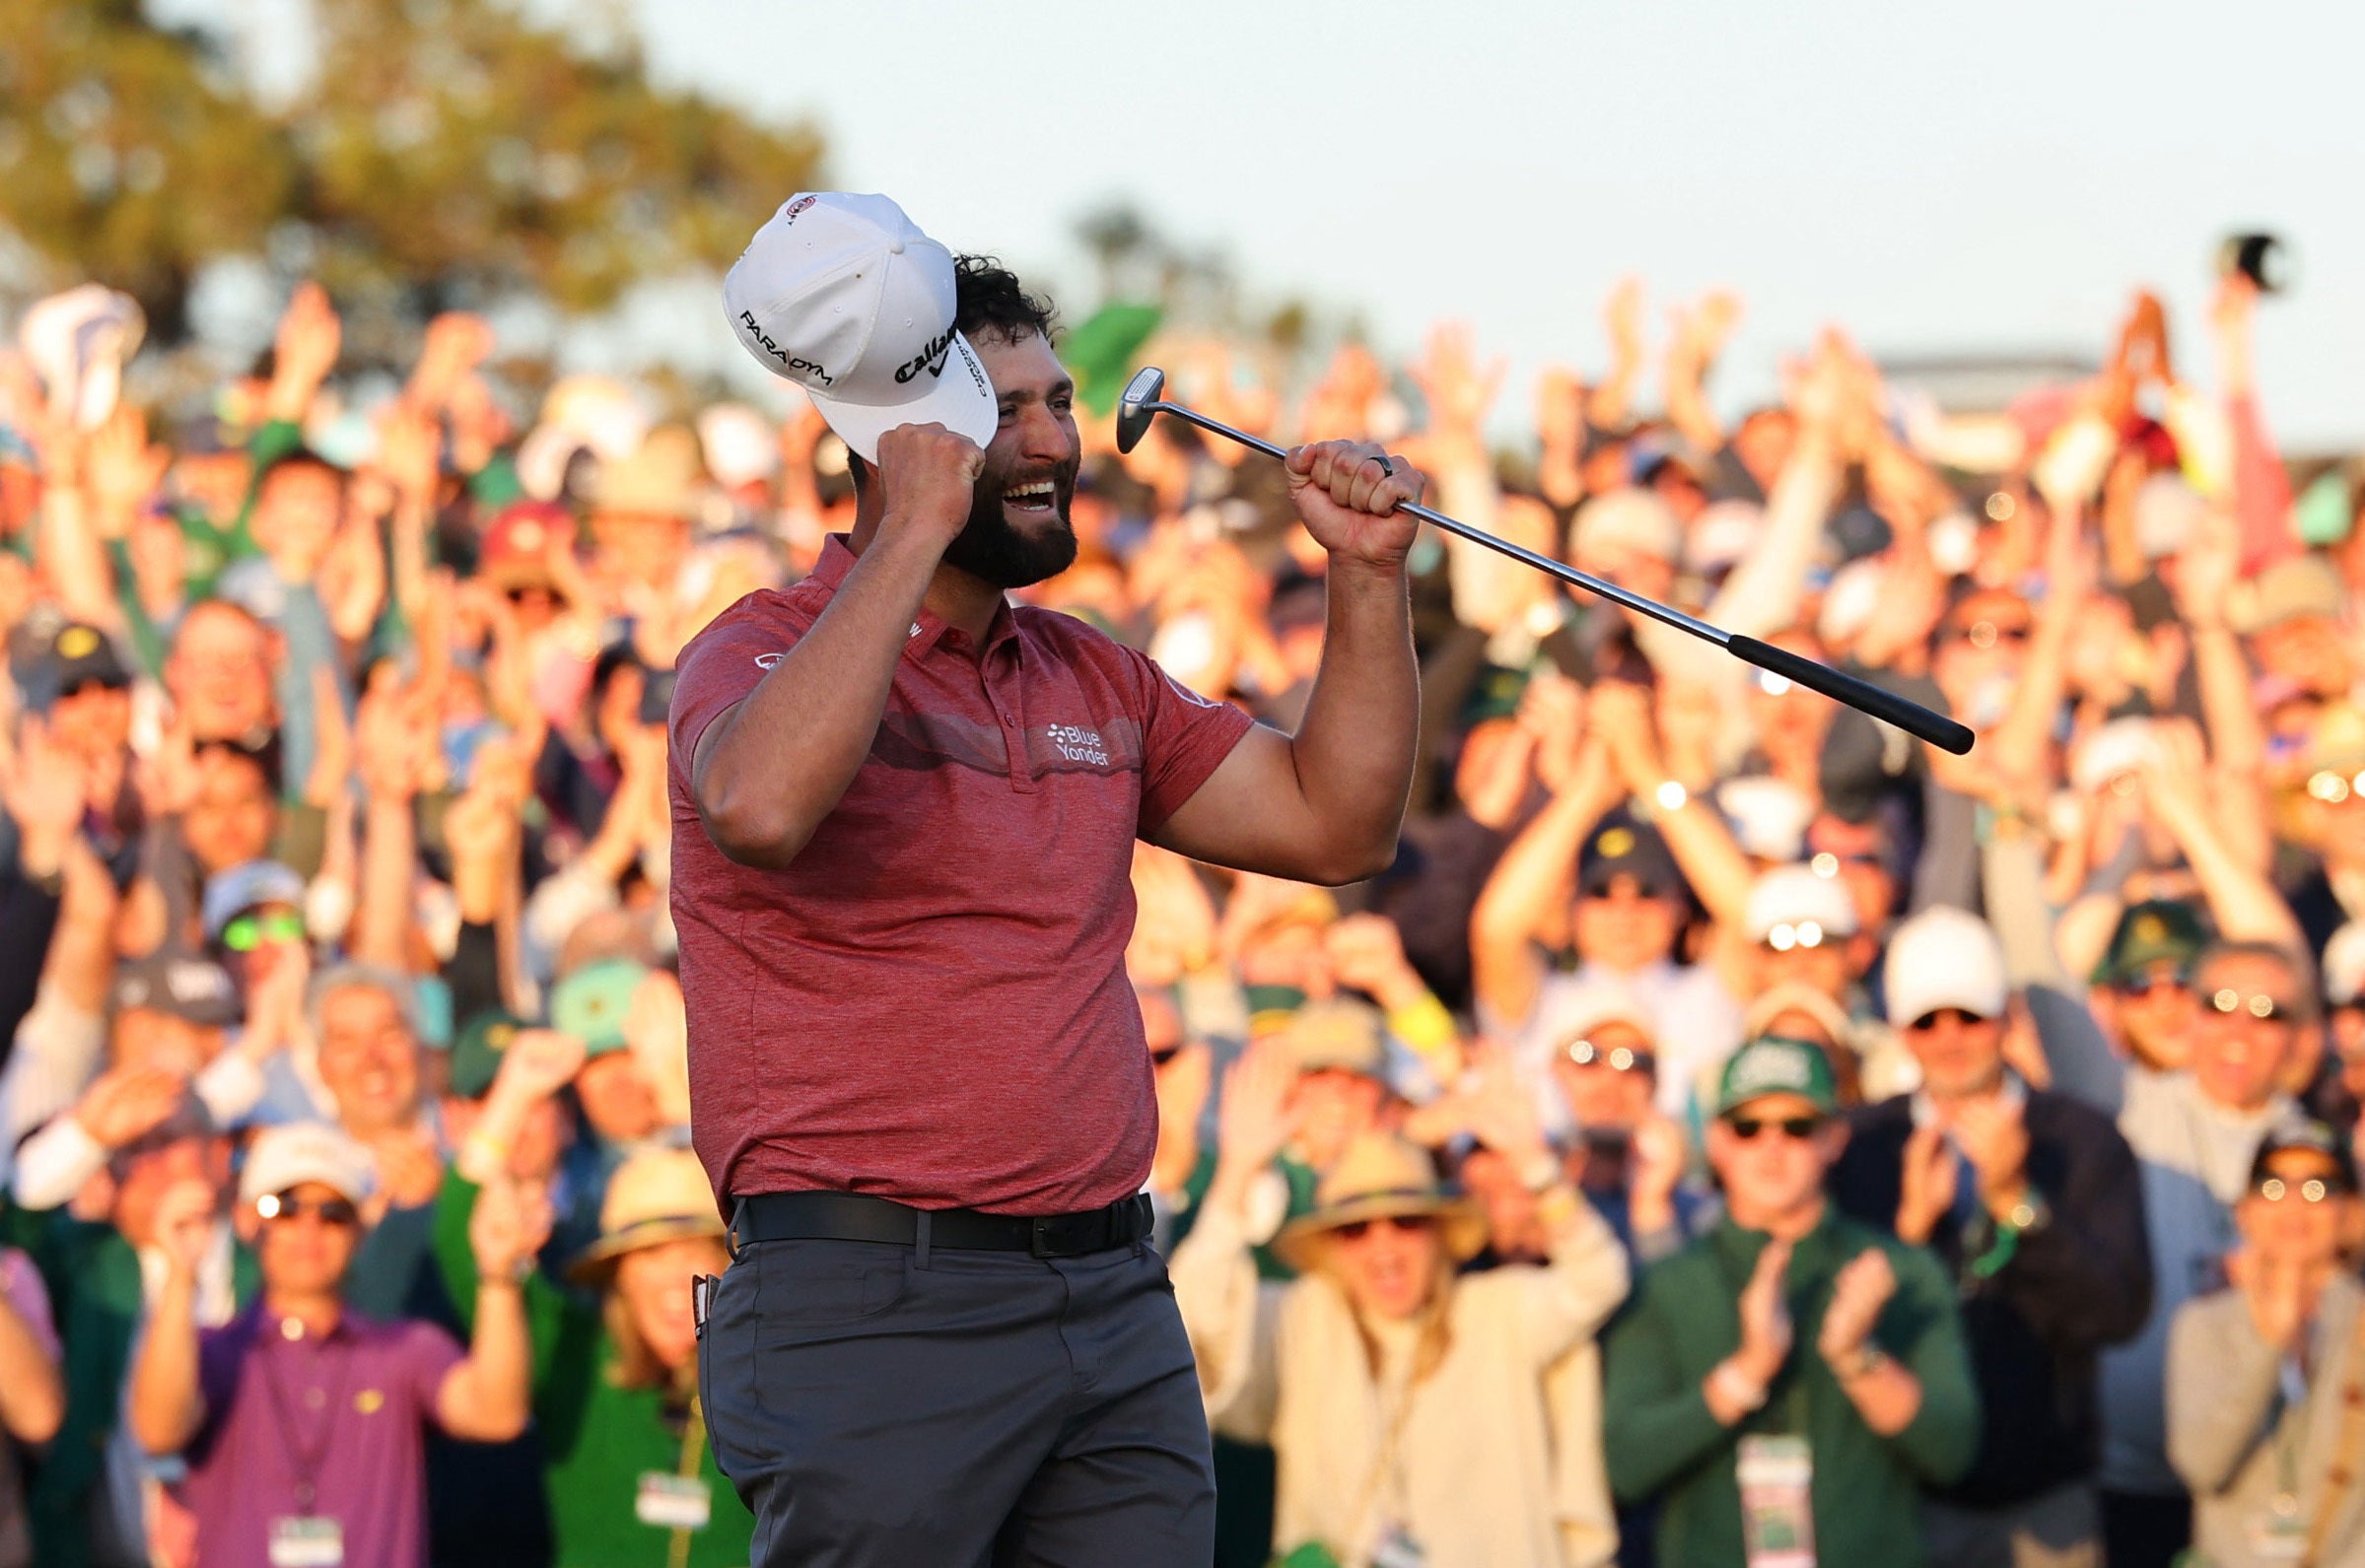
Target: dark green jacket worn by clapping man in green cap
1867,1491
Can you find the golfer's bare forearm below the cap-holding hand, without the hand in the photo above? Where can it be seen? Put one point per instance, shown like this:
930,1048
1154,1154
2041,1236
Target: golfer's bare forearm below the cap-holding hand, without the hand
779,763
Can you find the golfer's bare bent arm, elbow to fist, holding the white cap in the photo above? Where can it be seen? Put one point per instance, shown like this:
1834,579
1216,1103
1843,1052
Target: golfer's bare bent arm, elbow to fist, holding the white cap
775,765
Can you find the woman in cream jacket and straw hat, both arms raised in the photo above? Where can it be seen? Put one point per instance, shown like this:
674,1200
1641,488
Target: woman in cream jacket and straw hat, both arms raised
1404,1401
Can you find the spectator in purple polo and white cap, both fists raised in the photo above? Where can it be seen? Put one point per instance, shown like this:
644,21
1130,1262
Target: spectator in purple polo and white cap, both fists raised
304,1420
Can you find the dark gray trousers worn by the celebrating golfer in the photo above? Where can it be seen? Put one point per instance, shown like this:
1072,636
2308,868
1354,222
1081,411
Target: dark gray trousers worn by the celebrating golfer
961,1408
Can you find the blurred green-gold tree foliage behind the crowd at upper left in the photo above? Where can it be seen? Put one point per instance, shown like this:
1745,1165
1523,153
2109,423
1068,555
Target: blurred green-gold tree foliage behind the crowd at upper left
448,153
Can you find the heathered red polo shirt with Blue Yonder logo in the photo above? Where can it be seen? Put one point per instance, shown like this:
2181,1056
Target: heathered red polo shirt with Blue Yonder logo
931,1004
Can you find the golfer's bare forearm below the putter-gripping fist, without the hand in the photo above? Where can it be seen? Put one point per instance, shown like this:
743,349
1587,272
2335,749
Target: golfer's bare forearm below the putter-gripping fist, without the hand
1354,751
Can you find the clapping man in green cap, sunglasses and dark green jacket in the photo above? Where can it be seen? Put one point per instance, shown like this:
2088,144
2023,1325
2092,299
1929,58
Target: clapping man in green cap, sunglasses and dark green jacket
1789,1382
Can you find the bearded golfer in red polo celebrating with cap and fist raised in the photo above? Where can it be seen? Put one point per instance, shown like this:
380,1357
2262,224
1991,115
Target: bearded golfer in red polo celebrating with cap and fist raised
905,817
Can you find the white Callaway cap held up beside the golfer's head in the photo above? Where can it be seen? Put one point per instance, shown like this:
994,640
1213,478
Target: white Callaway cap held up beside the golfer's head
848,299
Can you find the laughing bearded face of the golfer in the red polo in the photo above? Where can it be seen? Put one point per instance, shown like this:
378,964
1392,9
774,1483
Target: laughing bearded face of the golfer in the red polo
1018,526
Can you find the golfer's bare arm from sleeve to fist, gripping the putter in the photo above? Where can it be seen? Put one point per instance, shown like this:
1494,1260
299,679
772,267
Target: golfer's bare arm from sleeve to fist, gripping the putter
1326,805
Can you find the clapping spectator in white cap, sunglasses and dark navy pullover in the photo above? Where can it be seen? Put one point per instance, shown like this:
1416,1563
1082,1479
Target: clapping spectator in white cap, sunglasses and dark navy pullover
2033,1205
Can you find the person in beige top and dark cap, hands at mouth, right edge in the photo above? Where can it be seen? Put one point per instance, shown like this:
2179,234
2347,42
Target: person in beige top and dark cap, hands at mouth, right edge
2267,1380
